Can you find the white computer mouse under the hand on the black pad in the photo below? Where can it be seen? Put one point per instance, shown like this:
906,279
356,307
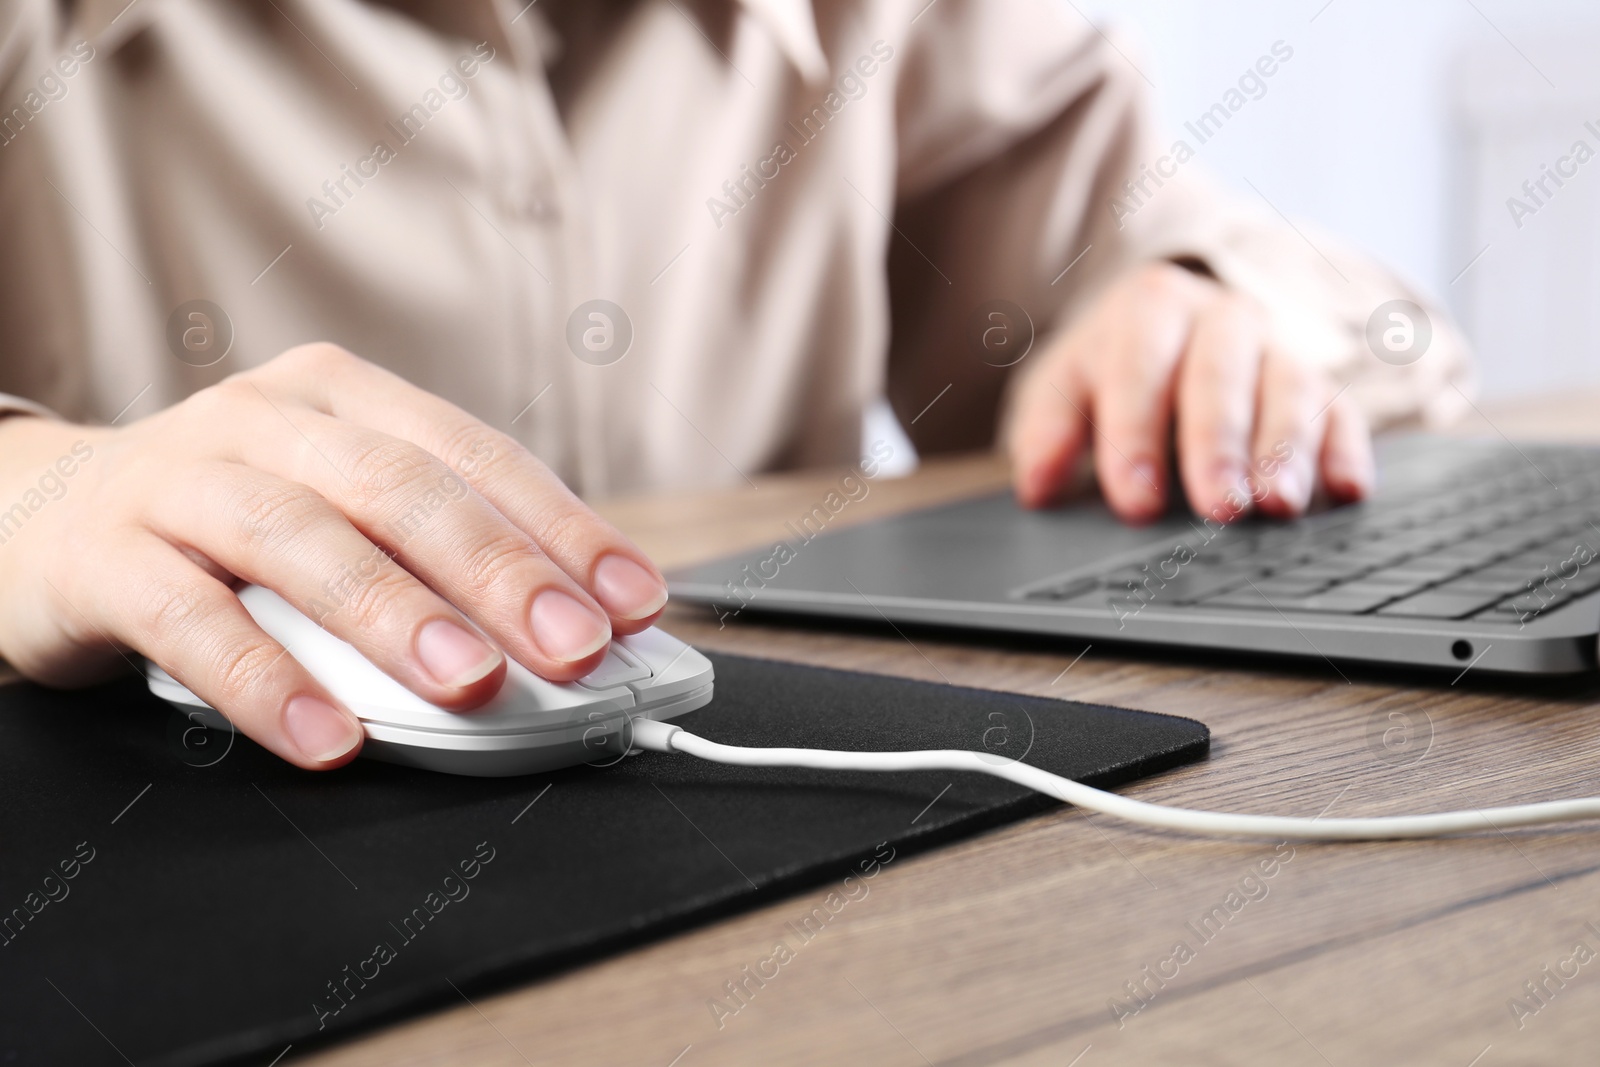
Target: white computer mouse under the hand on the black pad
532,725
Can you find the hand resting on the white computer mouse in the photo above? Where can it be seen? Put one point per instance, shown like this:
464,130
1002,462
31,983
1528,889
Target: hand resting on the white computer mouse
383,513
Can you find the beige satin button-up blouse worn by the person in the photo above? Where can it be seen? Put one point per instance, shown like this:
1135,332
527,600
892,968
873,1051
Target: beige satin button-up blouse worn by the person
785,212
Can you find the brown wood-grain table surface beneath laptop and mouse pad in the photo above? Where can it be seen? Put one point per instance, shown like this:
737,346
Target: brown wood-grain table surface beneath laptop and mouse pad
1014,948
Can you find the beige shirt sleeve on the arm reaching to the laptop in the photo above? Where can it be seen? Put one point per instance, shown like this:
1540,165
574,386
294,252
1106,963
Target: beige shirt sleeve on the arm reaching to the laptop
1030,174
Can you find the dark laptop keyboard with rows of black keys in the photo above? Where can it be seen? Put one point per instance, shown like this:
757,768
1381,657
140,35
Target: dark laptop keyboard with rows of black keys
1500,540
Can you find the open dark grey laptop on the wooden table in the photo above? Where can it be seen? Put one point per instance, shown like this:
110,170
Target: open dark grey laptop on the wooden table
1471,554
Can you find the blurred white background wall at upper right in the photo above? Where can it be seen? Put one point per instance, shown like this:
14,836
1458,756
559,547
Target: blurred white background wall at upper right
1404,127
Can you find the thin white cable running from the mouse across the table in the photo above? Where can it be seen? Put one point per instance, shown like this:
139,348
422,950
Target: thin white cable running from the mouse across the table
658,737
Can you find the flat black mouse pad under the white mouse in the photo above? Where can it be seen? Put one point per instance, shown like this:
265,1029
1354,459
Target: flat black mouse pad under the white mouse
178,897
